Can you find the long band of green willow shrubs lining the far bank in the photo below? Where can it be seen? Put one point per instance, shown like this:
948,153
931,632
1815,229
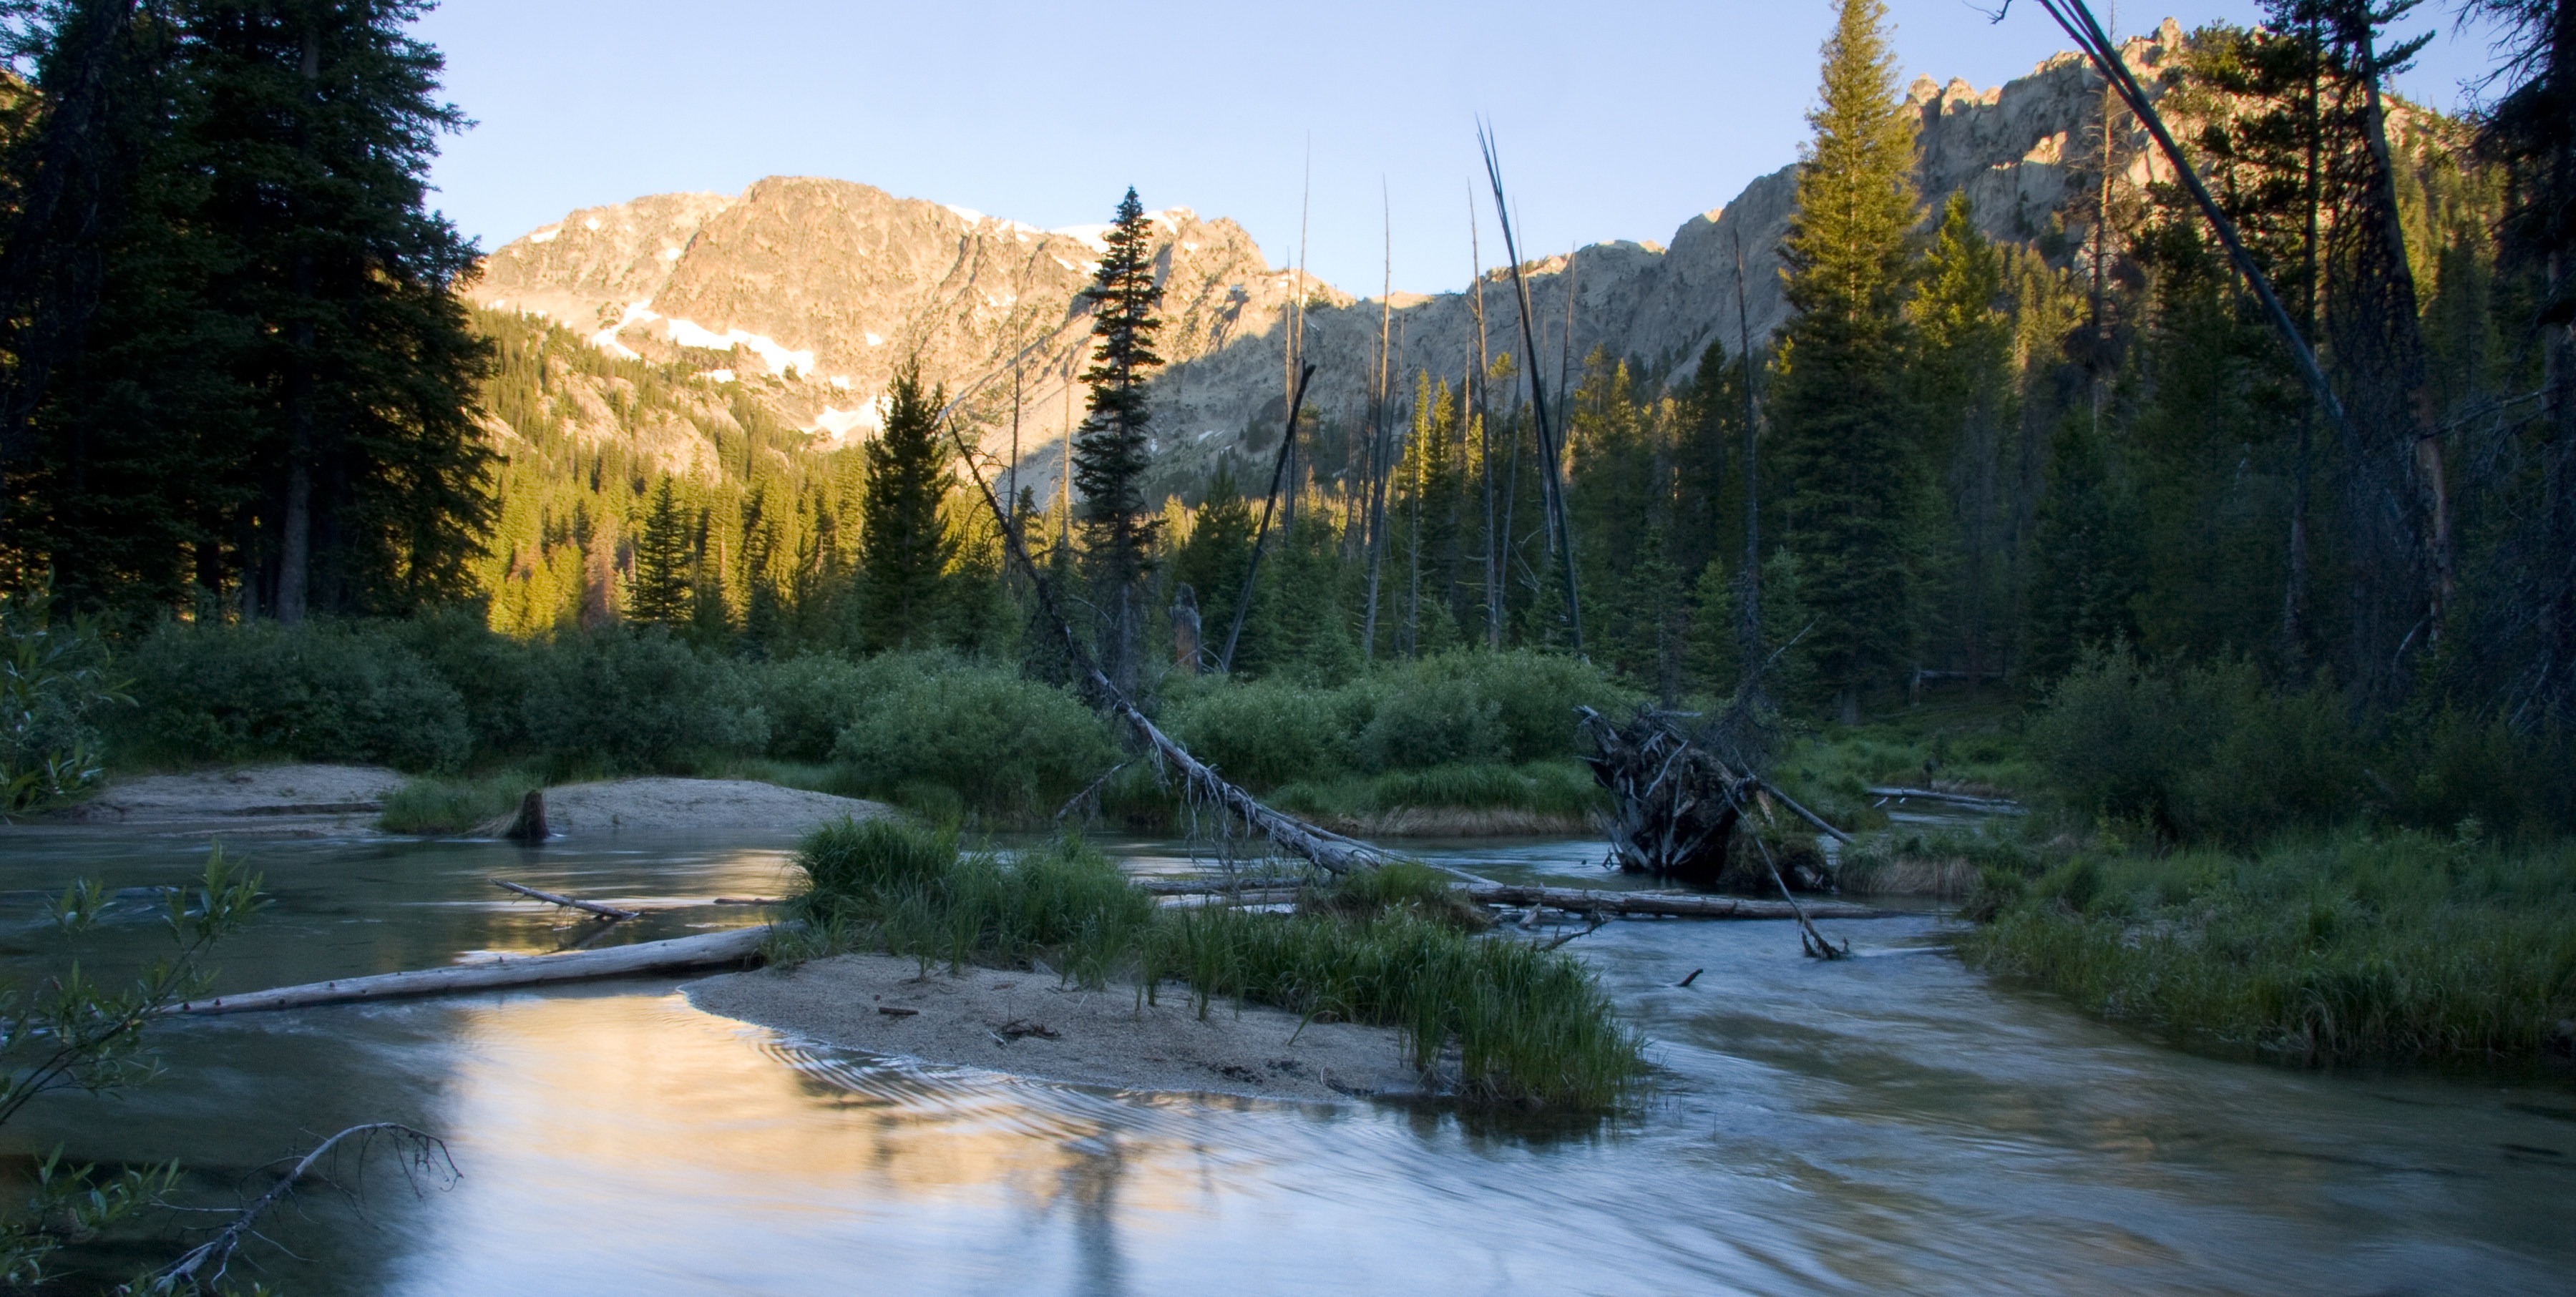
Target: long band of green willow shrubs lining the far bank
934,730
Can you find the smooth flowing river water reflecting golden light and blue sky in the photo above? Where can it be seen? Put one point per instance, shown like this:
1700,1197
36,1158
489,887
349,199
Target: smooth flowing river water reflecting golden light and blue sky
1889,1123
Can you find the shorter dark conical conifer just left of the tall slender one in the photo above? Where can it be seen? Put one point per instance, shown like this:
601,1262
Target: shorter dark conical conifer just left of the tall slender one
903,542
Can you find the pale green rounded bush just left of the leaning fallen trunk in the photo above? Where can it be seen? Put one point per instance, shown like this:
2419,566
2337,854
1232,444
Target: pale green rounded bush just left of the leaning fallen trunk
1003,742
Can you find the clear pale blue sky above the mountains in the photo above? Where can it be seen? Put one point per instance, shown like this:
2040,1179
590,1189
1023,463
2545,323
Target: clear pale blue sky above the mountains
1343,125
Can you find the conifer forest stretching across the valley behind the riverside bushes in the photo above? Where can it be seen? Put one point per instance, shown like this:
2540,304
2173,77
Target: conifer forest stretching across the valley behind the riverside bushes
241,387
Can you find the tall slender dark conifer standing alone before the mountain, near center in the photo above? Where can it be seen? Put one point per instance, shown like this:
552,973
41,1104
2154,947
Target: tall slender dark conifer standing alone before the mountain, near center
1114,452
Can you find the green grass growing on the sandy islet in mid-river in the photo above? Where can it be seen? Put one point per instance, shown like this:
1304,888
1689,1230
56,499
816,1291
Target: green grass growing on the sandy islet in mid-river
1390,948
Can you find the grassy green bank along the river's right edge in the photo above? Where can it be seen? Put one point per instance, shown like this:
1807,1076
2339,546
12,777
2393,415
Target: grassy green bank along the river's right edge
2330,948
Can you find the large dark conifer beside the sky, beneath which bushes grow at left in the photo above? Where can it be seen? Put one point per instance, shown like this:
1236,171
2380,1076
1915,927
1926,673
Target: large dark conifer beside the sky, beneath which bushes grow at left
316,125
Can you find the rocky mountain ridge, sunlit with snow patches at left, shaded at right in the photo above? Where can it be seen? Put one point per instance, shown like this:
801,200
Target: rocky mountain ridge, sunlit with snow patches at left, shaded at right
820,287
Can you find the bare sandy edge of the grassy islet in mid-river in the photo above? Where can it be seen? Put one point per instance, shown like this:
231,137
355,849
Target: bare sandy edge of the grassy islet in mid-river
1032,1026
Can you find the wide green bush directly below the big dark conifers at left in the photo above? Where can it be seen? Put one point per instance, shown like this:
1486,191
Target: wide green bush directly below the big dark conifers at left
321,694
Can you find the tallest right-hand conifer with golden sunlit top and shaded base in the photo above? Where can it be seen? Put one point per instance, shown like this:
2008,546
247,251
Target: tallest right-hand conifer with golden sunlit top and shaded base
1843,416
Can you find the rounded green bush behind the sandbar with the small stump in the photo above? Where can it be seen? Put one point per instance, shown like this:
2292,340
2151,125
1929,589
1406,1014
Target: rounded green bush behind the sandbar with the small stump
640,701
